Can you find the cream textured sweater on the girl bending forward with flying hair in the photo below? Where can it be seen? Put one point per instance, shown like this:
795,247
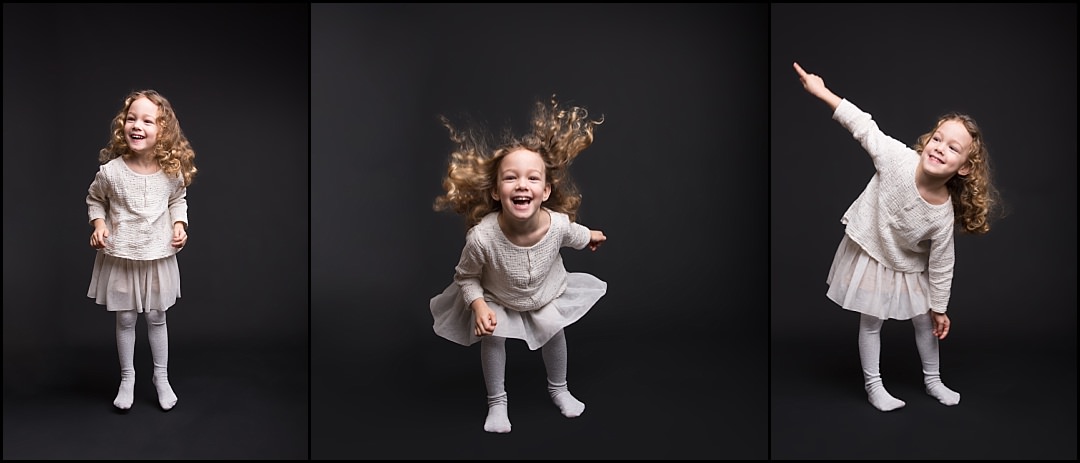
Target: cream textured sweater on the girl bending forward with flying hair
518,278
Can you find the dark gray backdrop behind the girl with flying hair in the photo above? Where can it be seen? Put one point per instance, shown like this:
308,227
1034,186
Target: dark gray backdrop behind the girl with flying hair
672,362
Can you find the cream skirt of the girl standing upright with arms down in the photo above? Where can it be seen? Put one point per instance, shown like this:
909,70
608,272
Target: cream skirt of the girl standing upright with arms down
139,285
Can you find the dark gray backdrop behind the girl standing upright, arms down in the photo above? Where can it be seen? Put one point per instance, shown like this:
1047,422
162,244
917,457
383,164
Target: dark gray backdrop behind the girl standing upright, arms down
238,79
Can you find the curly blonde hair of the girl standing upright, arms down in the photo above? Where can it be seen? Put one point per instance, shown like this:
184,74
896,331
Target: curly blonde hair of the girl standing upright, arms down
172,151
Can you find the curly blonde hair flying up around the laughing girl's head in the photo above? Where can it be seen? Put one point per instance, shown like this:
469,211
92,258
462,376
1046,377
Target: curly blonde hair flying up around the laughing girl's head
559,135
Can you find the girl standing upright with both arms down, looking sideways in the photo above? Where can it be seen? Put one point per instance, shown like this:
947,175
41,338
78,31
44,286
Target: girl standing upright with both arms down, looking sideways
139,210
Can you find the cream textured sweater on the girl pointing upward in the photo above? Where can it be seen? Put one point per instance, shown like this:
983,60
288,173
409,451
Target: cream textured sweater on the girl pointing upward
890,220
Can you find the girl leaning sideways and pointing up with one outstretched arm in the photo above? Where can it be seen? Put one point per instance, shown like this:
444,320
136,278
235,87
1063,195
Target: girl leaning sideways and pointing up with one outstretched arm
896,260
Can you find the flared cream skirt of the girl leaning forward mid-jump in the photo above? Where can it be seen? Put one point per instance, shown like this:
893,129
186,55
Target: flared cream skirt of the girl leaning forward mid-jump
456,322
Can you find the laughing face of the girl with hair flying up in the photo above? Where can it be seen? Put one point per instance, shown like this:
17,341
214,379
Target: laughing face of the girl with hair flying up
522,186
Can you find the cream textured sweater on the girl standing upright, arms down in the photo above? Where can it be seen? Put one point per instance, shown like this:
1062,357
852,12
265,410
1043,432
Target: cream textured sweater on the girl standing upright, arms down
139,210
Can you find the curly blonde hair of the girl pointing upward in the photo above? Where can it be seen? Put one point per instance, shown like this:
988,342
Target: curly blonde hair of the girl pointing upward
976,201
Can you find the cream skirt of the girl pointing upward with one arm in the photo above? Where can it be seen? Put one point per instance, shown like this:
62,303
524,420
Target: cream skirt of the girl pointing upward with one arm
860,283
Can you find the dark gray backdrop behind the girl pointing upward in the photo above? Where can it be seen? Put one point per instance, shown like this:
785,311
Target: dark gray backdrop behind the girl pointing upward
1011,352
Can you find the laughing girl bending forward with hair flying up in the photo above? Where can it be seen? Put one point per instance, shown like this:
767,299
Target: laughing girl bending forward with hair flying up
520,207
